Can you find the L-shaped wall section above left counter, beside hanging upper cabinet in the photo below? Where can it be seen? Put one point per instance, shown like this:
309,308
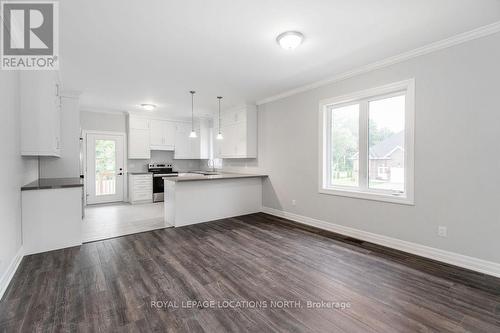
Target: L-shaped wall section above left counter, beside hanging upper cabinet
68,165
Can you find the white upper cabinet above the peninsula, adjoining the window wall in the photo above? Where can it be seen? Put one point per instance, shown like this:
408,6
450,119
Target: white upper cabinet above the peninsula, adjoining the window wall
239,129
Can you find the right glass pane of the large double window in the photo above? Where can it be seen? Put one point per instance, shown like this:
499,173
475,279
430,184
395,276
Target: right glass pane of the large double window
386,168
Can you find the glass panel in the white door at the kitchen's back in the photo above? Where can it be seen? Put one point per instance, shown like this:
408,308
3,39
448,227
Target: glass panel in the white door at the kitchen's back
105,167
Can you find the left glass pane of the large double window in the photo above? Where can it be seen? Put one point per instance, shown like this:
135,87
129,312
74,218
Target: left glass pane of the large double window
344,146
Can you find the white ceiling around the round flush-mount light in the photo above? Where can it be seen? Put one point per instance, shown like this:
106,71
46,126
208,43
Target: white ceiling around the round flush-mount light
122,53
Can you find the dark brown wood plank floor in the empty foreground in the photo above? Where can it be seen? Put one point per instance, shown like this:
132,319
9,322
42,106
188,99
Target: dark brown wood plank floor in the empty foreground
110,285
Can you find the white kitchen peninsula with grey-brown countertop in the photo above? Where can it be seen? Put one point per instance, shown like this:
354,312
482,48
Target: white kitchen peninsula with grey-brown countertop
215,196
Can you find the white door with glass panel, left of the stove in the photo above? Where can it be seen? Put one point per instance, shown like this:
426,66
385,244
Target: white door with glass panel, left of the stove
105,169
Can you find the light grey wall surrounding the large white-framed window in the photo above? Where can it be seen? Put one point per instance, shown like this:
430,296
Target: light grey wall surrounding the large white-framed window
457,159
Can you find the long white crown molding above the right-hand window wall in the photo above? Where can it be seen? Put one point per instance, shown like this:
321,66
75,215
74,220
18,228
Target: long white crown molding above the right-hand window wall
433,47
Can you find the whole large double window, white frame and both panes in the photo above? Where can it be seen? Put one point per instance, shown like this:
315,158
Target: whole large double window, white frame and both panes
366,144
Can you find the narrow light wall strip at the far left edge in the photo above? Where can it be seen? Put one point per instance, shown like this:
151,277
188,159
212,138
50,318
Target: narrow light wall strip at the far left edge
14,172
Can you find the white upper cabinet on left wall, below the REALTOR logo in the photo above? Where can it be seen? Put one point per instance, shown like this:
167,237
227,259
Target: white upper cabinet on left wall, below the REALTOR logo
40,105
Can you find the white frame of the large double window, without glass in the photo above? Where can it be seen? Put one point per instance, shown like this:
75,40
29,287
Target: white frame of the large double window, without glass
363,191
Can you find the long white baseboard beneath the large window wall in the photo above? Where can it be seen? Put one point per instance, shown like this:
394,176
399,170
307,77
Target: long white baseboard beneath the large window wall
475,264
